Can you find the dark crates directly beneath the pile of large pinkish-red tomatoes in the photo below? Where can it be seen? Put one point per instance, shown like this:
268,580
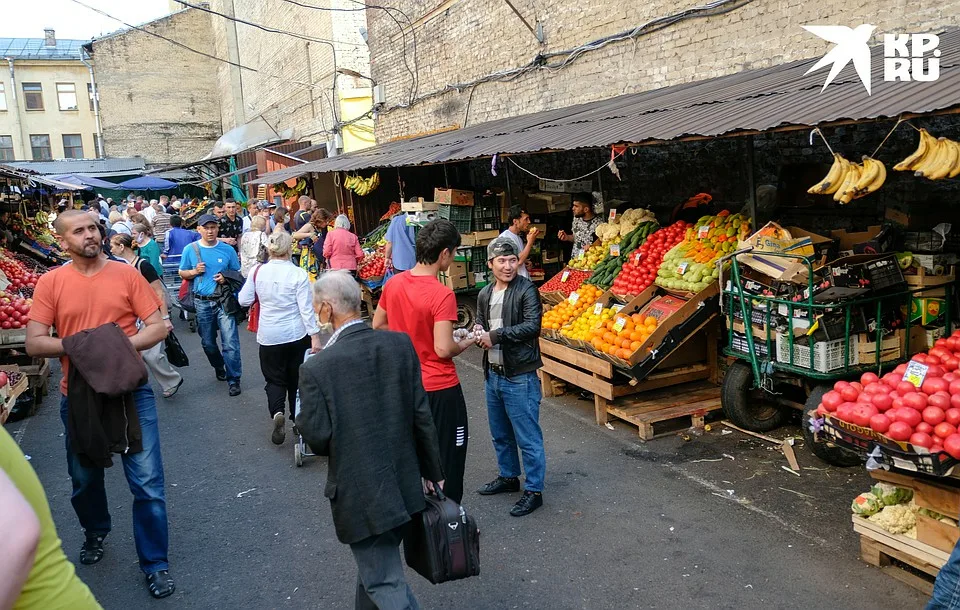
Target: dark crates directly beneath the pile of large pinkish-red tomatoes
896,454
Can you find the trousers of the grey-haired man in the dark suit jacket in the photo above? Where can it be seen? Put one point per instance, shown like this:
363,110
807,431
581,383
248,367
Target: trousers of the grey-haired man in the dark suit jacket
381,584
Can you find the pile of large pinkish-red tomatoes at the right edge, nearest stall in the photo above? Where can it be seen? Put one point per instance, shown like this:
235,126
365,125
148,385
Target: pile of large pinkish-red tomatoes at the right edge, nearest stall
927,416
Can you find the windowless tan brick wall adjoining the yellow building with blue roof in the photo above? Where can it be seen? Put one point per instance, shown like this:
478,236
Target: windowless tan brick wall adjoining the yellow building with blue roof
156,100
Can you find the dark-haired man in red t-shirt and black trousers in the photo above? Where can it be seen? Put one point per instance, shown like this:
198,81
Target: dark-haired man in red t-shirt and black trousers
416,303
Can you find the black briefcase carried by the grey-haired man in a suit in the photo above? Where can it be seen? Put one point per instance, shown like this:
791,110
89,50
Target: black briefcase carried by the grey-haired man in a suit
443,542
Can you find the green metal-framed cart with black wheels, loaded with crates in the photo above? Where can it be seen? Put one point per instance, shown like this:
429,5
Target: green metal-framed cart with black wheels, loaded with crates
779,369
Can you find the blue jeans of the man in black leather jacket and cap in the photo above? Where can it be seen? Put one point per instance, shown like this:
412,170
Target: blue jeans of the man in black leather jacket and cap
513,408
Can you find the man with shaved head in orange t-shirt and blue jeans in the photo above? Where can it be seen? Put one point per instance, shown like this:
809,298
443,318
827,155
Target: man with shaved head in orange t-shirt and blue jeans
87,293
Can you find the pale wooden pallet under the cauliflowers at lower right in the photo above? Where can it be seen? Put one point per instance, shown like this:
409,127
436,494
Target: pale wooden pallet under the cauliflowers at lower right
886,551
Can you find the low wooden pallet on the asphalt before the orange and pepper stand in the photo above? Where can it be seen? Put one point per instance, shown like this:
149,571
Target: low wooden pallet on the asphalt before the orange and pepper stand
666,411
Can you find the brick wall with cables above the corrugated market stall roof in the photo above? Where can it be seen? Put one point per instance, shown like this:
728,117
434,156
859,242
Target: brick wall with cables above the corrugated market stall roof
471,39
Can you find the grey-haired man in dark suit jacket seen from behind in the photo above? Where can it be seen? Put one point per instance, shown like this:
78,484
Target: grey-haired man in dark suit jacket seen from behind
363,404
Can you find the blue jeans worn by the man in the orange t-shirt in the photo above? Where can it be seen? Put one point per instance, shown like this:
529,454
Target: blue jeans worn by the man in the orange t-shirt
144,472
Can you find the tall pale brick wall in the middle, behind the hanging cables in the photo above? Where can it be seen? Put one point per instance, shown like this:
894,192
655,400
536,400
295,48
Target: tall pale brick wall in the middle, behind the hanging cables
292,88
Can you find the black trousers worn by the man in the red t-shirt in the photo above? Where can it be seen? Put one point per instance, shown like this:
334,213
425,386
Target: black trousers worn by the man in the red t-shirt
450,418
